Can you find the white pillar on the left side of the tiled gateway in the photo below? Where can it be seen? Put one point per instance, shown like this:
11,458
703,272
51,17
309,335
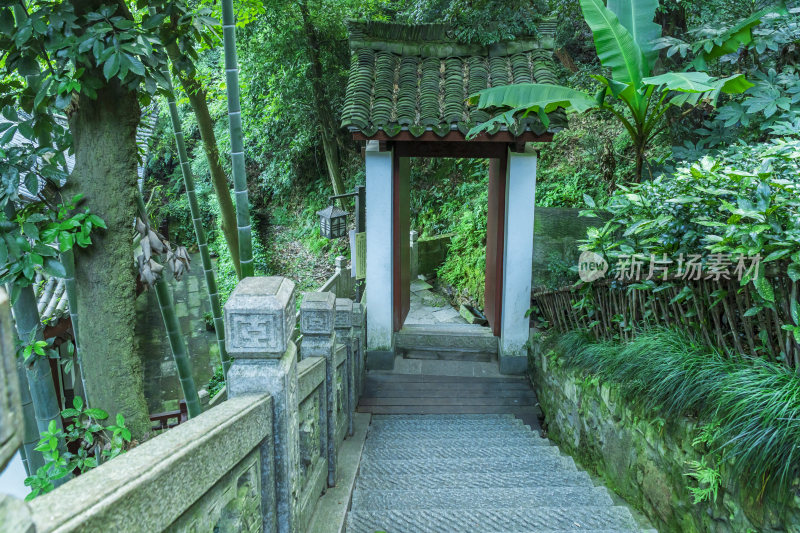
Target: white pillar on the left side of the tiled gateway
380,262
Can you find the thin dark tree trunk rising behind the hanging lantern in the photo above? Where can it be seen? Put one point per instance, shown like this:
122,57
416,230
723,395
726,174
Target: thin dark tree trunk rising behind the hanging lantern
326,119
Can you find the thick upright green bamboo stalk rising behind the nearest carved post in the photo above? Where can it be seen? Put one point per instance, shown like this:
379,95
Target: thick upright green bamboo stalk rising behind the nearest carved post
237,140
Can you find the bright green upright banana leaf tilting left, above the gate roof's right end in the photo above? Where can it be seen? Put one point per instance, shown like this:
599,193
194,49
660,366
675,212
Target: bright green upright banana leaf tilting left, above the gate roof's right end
615,45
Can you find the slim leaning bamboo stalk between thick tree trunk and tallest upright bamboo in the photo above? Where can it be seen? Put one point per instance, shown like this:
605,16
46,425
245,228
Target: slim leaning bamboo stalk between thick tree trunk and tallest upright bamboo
199,231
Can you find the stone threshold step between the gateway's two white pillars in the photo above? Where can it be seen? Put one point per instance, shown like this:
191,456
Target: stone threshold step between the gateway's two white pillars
446,338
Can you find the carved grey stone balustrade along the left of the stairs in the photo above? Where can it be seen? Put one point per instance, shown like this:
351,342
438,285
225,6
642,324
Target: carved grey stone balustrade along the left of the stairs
258,461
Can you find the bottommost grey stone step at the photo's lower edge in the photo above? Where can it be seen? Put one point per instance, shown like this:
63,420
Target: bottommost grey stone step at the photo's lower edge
506,520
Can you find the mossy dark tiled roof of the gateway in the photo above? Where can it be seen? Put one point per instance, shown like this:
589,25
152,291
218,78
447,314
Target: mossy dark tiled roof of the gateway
418,78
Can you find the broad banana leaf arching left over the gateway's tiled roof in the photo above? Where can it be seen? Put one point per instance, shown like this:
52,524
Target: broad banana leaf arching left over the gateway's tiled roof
524,98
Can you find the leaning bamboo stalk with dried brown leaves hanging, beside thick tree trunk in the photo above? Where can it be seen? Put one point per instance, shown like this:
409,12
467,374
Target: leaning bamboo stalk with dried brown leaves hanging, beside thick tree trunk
152,275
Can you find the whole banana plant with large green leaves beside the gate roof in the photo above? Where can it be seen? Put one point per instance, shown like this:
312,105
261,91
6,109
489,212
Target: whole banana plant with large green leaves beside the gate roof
625,38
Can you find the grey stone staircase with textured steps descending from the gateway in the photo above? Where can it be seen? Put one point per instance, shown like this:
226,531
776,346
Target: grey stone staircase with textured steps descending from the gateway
485,473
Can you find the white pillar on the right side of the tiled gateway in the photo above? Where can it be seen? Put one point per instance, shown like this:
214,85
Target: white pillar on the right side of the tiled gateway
517,260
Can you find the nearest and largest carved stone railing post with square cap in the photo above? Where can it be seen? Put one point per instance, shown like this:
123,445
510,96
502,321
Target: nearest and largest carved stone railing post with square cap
259,320
